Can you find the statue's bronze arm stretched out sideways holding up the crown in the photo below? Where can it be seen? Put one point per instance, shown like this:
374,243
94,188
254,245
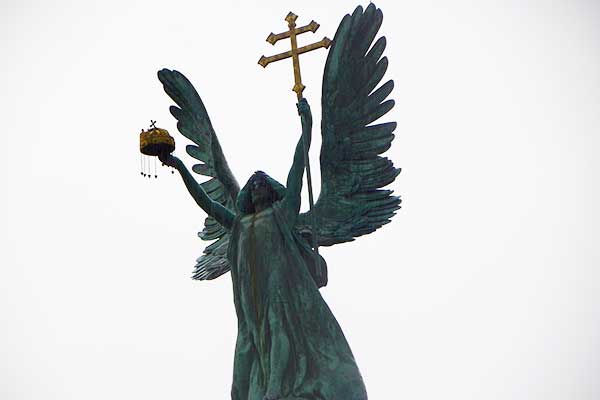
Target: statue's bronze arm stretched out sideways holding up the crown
223,216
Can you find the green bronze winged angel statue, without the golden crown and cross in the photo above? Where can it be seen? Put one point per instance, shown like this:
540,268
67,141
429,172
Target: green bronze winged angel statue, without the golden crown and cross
289,345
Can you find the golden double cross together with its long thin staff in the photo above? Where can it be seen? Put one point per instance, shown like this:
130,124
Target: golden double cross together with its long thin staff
299,88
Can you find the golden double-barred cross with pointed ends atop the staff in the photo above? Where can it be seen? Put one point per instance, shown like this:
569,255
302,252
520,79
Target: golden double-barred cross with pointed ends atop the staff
295,52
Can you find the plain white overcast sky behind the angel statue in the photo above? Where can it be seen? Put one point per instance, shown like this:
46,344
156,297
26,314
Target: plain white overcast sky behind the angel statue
484,286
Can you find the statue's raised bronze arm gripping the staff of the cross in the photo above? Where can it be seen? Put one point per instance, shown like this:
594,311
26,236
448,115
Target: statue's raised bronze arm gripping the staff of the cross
292,199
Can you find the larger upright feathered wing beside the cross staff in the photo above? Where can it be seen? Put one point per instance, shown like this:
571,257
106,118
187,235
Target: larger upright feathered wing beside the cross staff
351,203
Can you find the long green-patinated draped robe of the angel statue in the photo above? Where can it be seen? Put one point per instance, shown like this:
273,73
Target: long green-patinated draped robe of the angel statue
277,300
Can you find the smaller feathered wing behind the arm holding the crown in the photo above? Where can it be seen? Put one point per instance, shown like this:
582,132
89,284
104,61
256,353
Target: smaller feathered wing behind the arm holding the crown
194,124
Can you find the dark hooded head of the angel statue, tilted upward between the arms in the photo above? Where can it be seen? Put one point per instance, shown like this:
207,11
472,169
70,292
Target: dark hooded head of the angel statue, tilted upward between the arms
260,191
